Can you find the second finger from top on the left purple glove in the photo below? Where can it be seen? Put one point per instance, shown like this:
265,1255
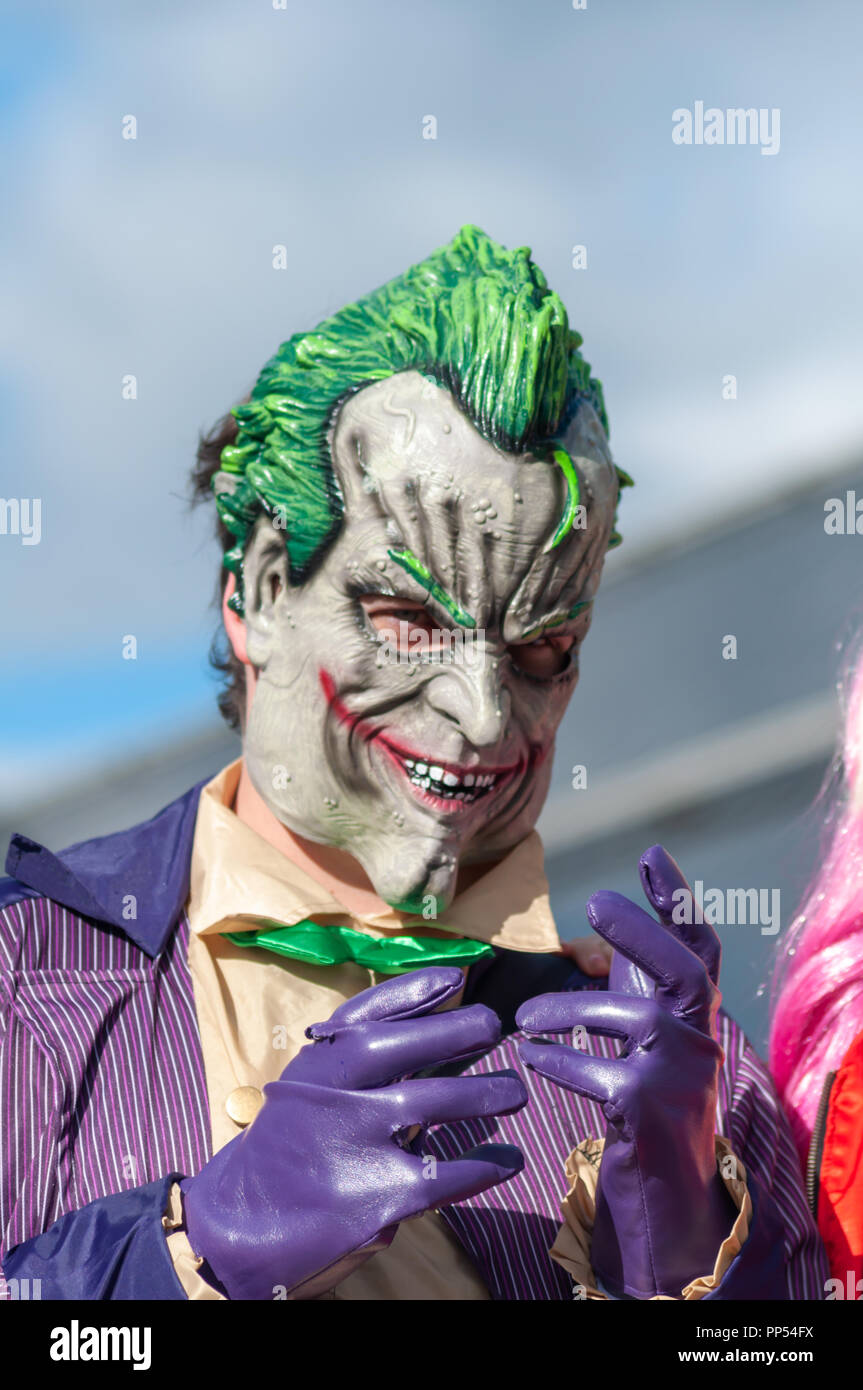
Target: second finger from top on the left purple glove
373,1054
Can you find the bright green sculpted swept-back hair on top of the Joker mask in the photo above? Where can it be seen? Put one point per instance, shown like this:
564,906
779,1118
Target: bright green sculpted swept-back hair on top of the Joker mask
475,318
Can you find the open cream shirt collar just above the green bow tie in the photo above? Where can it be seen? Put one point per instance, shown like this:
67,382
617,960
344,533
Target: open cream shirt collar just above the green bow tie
238,878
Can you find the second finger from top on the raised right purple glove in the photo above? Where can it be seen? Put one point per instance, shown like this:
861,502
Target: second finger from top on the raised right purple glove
682,981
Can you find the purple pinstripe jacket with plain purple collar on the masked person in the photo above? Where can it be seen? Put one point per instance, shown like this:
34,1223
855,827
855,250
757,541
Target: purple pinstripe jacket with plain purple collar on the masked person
104,1099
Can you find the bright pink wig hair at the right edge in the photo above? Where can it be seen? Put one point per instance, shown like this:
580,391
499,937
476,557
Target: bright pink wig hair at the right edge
819,996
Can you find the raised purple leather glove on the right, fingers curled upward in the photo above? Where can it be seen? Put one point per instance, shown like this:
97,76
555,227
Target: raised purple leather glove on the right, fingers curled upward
662,1209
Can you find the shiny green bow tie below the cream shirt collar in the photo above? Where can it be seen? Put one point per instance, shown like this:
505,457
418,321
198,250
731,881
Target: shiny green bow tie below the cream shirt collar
316,945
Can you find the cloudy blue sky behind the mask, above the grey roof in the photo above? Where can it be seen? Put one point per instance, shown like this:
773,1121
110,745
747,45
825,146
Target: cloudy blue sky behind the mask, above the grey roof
304,127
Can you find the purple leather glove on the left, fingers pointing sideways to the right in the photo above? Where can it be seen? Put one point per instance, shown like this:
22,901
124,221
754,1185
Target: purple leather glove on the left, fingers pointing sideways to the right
323,1177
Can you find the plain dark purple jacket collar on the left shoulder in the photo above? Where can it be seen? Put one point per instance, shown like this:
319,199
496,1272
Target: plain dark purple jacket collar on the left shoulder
135,881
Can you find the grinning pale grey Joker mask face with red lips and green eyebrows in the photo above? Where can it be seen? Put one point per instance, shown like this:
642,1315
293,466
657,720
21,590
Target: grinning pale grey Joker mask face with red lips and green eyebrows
411,685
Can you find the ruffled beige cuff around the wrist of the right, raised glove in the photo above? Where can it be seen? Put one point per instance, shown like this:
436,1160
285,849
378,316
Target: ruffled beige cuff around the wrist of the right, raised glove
572,1250
